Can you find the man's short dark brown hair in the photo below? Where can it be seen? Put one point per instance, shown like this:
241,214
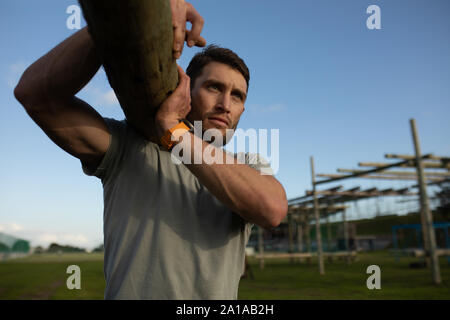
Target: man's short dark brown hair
214,53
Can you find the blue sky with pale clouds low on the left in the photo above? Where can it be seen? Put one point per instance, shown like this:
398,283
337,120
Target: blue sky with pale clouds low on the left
335,89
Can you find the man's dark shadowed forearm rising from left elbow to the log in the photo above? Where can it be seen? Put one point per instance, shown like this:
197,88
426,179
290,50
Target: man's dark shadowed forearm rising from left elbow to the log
62,72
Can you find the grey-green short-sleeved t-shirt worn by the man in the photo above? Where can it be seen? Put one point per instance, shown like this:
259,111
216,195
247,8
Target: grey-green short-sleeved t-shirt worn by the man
165,235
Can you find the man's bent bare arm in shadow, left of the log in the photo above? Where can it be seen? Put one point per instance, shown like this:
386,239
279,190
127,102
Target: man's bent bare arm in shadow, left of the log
47,92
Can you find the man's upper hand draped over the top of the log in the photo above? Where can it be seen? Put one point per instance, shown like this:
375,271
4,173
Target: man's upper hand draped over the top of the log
181,13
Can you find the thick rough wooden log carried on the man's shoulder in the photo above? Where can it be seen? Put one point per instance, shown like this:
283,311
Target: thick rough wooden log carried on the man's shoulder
134,39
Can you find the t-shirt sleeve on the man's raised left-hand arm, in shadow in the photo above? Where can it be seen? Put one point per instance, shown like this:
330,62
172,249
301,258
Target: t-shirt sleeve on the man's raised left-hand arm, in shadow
112,158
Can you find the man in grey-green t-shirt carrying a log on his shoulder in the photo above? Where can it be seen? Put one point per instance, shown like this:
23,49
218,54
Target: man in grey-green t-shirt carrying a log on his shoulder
170,231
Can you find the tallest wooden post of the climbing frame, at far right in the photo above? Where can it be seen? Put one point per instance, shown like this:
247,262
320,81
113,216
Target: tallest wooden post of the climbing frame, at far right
426,217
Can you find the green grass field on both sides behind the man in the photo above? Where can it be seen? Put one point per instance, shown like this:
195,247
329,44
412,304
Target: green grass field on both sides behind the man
44,277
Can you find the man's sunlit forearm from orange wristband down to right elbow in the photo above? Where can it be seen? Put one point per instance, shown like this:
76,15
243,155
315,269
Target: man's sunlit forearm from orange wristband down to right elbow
257,198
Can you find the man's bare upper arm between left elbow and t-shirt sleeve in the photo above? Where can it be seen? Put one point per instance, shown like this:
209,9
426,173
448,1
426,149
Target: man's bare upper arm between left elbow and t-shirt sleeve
75,127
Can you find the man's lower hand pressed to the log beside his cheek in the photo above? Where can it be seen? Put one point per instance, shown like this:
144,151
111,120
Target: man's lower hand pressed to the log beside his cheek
175,107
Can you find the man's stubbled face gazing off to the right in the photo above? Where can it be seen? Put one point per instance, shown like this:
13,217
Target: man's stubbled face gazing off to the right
218,97
